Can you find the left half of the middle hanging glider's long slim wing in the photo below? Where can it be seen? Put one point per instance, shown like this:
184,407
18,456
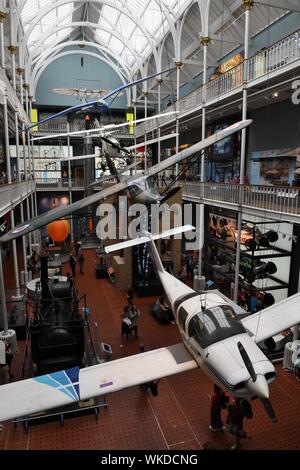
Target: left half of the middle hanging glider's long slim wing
59,212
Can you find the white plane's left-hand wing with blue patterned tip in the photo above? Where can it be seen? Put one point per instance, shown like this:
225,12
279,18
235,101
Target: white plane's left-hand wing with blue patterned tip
71,385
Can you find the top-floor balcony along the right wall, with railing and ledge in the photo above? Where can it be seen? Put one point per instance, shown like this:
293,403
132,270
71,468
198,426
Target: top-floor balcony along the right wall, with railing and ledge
267,65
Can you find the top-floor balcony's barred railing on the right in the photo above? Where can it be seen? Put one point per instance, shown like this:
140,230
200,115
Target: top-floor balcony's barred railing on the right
275,57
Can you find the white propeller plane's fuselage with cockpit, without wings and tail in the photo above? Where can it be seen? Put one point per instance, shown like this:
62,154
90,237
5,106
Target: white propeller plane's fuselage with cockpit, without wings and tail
211,333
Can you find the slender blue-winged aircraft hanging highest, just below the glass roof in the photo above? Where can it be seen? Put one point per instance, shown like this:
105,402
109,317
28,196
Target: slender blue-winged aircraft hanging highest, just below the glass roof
99,102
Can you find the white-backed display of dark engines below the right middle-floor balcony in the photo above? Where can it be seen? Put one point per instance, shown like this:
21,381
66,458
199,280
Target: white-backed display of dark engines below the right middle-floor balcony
264,259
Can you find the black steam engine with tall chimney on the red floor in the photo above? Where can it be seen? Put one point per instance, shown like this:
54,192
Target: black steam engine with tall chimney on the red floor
57,330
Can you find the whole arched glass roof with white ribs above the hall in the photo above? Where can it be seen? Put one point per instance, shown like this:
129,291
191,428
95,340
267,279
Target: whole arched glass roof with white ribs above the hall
130,33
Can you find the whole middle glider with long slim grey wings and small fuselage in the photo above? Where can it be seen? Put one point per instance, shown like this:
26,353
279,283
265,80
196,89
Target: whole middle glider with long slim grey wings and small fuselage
141,187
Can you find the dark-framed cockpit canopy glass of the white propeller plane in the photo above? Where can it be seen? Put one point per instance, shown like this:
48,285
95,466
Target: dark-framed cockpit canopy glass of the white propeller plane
213,325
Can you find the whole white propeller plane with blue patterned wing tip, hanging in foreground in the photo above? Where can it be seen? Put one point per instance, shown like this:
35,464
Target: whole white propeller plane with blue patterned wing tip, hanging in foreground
213,339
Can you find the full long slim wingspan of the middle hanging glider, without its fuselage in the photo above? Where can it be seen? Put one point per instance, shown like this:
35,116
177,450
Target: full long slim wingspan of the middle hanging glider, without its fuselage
60,212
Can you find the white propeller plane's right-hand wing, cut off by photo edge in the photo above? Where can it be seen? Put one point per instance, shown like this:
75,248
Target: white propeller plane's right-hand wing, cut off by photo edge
274,319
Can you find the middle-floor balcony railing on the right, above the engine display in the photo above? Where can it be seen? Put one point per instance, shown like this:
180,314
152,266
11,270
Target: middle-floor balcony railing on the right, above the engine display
284,200
